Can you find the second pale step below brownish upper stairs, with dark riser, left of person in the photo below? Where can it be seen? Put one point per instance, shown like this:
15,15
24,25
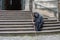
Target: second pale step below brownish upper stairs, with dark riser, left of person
16,23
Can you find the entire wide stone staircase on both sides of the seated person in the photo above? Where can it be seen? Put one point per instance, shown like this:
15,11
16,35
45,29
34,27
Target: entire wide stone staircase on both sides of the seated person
22,22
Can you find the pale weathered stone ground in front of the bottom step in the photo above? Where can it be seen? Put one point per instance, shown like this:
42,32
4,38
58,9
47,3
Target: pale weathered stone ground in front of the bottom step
37,37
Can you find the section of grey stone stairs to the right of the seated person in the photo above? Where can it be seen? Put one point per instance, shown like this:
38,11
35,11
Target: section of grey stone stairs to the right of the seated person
51,25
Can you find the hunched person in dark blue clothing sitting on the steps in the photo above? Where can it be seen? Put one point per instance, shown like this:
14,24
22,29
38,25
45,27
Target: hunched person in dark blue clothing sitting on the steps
38,19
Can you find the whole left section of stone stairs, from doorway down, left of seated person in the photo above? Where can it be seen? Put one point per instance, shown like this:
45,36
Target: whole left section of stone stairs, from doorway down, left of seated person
16,22
